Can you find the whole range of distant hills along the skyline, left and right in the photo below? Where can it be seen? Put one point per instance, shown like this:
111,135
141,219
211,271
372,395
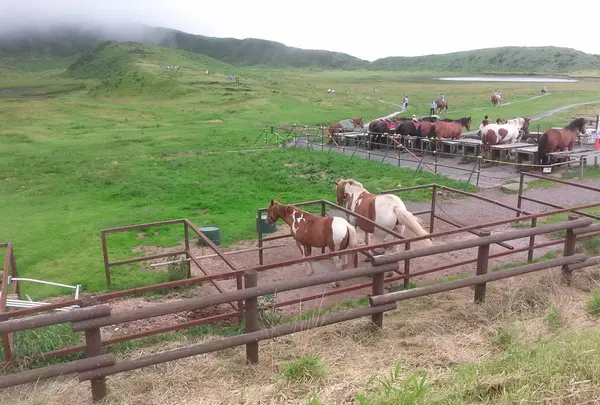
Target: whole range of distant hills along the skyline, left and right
67,41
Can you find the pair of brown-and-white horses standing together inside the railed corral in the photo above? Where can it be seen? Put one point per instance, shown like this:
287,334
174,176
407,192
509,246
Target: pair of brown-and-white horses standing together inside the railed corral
338,234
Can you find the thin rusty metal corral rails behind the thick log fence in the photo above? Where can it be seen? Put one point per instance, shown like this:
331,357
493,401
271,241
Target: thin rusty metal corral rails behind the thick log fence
434,214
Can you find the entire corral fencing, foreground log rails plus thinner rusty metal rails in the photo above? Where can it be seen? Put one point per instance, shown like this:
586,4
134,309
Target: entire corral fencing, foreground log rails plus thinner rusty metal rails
244,299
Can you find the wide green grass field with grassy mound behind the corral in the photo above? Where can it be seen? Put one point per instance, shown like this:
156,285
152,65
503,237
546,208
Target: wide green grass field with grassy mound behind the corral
114,141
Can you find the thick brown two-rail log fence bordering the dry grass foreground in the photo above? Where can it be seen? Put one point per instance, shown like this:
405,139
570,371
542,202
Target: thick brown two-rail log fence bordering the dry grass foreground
90,320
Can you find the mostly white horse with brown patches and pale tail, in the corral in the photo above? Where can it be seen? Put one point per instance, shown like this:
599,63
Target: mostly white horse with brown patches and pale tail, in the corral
386,210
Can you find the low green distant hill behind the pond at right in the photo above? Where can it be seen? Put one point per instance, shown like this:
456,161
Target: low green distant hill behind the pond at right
496,60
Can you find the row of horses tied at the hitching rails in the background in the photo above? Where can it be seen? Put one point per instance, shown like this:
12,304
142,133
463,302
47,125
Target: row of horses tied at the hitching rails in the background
508,132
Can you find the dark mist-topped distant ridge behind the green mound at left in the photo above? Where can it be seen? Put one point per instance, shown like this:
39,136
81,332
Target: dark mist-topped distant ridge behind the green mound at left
68,41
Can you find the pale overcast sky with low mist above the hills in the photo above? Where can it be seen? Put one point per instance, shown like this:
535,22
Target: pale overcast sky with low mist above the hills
368,29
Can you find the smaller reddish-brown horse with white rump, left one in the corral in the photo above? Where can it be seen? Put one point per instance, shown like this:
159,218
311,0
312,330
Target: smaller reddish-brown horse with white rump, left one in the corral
309,230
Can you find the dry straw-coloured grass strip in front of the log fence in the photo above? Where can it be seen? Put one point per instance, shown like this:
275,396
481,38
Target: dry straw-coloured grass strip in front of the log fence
533,341
